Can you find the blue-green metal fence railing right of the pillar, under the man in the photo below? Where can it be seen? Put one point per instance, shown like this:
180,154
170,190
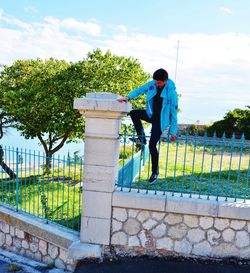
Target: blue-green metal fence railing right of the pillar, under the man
192,165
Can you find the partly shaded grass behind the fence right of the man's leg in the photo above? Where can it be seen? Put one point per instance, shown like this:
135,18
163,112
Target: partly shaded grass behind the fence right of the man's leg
203,170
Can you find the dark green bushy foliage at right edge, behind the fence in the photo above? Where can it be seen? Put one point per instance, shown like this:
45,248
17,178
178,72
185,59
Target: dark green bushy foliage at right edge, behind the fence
236,121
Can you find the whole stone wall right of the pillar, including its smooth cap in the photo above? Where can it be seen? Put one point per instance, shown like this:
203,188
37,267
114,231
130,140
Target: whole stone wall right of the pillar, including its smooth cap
146,223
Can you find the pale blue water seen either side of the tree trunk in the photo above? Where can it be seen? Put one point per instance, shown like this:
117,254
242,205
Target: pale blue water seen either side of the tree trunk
12,138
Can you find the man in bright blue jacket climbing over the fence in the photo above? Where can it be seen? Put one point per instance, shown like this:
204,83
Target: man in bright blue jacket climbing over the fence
161,111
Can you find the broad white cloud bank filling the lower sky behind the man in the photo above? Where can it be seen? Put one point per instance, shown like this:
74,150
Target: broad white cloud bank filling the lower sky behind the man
213,70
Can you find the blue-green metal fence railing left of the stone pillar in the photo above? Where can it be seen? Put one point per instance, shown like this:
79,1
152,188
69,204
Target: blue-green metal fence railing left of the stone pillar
48,189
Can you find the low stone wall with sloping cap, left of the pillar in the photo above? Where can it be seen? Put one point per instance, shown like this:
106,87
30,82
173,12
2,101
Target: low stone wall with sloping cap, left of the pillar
31,237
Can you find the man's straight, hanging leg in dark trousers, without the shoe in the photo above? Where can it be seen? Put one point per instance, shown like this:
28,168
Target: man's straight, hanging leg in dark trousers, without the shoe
155,136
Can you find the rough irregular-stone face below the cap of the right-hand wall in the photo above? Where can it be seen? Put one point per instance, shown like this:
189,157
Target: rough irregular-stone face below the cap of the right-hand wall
149,231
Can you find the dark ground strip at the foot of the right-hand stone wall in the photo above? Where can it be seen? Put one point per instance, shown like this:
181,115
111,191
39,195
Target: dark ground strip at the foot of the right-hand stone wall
147,265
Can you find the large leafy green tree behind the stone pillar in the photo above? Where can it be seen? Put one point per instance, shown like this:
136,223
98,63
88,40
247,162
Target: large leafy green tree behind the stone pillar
37,96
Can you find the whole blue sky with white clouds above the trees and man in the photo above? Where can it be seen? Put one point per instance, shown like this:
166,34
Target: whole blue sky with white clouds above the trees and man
204,45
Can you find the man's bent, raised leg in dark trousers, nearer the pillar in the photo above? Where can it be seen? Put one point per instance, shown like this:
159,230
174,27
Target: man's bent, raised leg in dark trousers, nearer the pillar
137,116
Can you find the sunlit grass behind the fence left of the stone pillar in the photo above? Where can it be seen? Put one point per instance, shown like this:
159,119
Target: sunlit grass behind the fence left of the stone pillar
57,198
